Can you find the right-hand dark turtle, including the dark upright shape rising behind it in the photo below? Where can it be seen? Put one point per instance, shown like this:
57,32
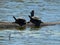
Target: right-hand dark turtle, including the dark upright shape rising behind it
35,20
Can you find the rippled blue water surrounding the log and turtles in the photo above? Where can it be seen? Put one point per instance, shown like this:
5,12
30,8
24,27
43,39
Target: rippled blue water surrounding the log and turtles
47,10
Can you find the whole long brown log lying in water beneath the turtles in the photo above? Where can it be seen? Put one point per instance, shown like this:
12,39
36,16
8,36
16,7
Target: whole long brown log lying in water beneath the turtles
14,25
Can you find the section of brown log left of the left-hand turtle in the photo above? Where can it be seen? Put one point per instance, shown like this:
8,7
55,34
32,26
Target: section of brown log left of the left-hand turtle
8,25
